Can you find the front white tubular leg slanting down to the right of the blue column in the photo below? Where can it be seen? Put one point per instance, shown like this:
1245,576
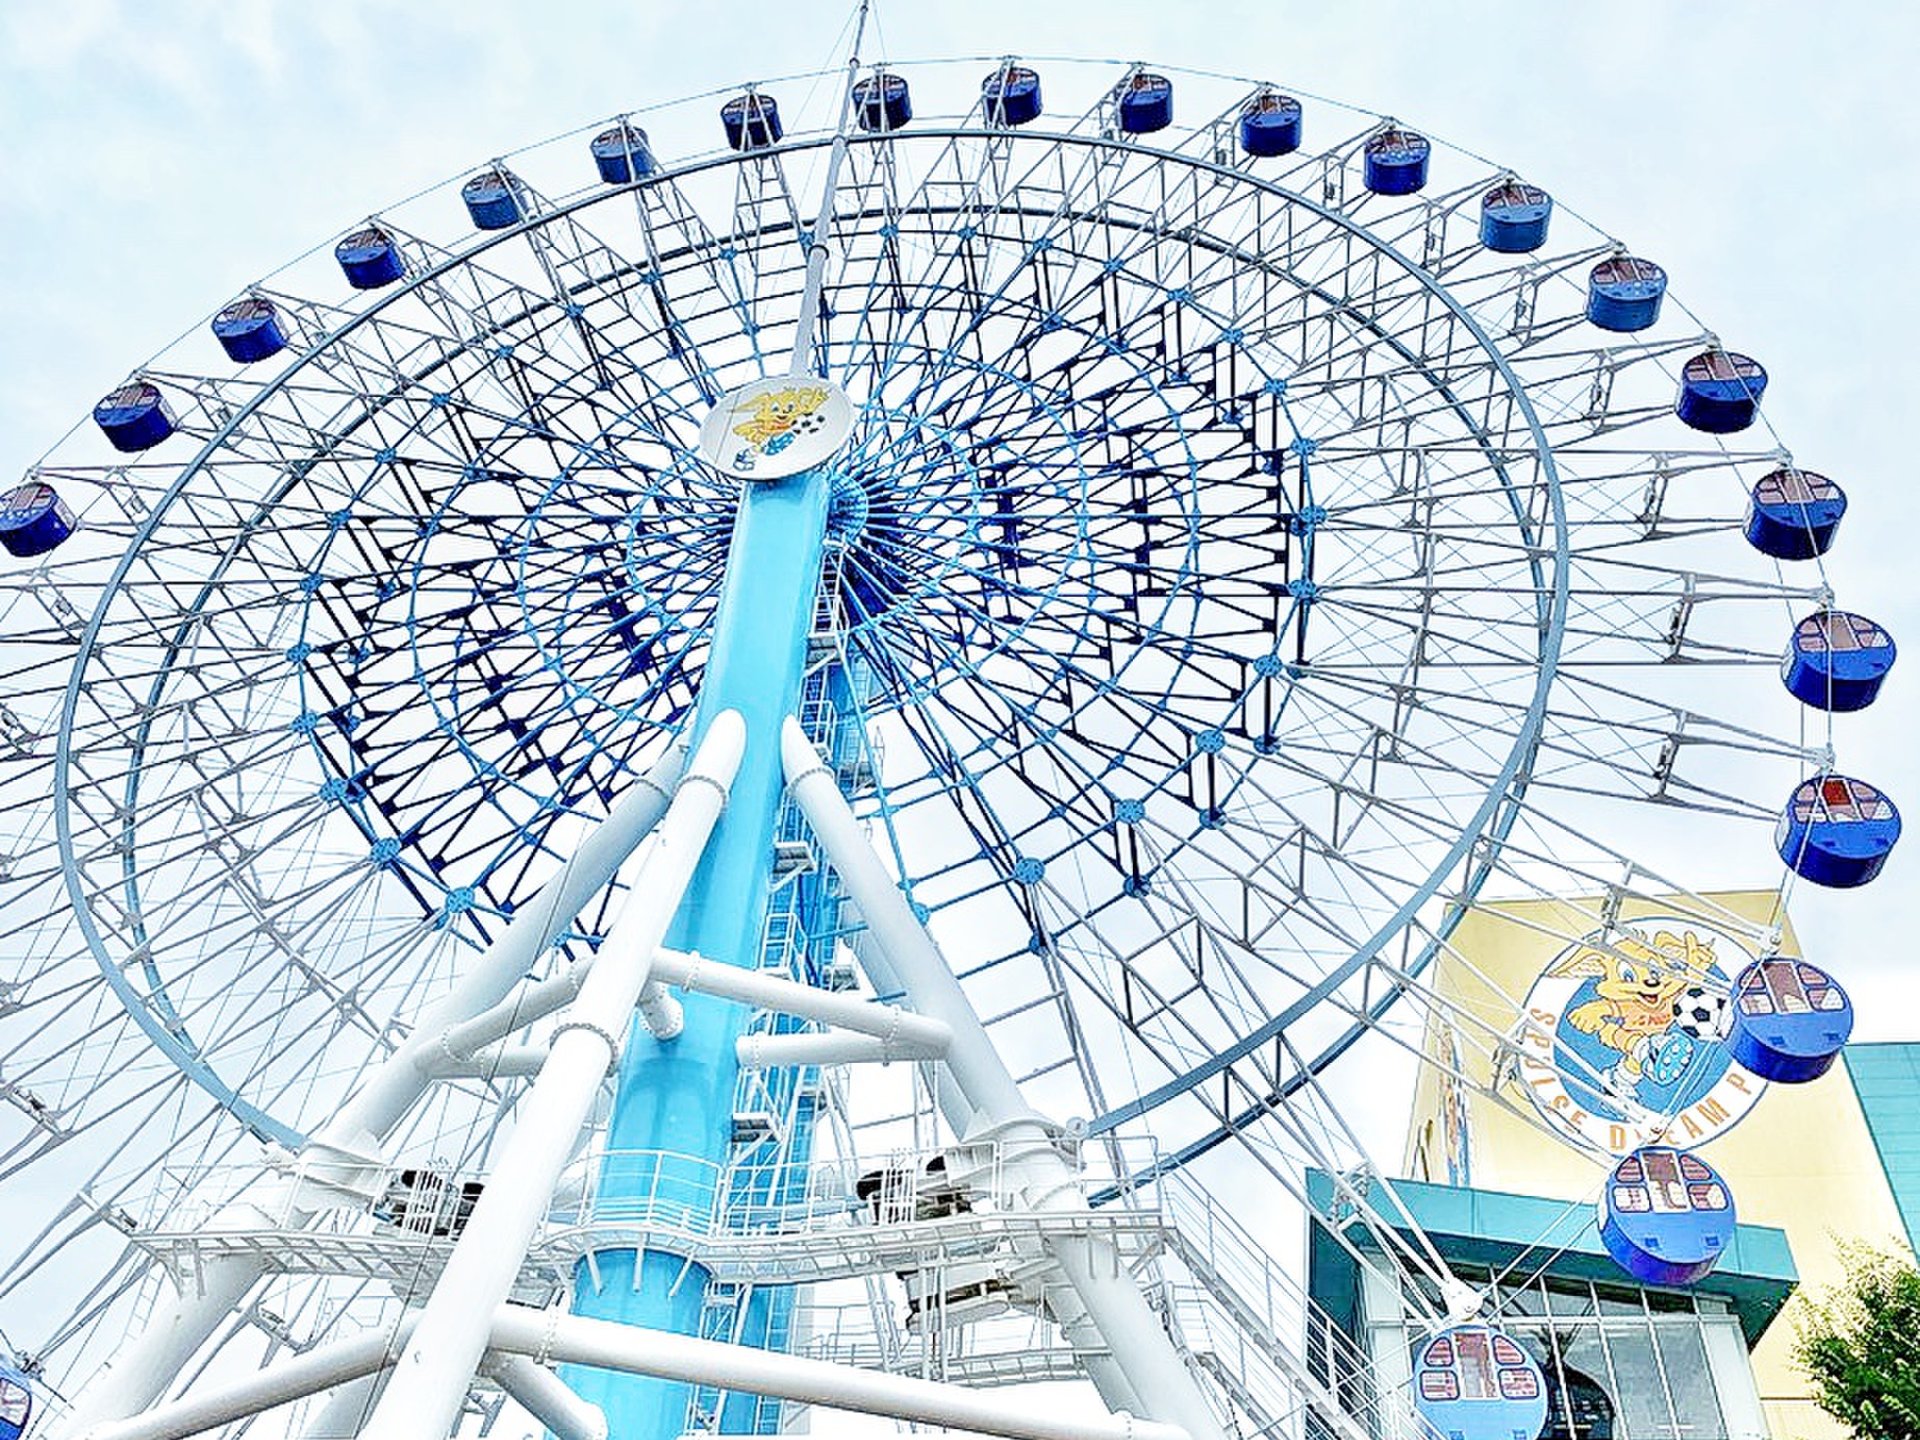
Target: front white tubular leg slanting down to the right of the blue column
1136,1337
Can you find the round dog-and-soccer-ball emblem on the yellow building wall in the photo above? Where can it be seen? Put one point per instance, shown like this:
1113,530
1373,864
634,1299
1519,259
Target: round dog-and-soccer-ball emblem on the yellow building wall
1623,1038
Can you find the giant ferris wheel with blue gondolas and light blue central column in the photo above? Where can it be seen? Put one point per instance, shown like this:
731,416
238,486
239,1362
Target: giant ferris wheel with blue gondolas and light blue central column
790,759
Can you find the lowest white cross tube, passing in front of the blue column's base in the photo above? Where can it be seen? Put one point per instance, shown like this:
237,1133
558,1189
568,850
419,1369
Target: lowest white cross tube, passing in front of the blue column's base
635,1351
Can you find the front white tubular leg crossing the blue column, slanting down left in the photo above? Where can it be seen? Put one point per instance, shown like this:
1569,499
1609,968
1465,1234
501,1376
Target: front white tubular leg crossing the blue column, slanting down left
433,1374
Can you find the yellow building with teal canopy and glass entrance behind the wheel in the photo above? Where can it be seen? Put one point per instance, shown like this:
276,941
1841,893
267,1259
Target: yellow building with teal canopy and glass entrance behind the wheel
1506,1157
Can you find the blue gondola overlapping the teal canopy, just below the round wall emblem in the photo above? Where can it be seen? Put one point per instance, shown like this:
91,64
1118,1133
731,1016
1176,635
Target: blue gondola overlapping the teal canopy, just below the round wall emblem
1666,1216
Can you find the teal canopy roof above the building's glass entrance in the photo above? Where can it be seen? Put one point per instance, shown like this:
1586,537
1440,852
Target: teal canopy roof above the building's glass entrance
1533,1236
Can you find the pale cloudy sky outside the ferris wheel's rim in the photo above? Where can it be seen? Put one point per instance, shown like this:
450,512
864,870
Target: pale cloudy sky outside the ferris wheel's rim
158,158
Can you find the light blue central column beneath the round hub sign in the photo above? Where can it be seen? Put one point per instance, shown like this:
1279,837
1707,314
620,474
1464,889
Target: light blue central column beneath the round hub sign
673,1111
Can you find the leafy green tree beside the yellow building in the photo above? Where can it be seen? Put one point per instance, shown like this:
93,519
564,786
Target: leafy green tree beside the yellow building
1861,1347
